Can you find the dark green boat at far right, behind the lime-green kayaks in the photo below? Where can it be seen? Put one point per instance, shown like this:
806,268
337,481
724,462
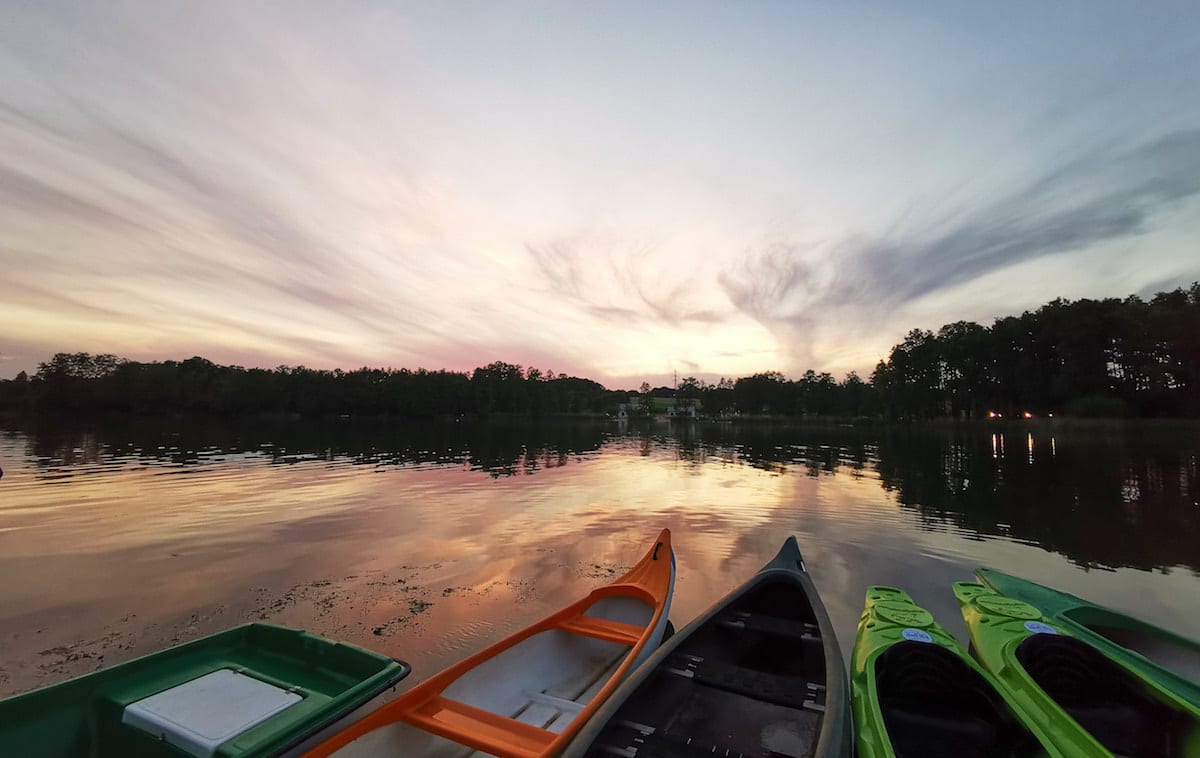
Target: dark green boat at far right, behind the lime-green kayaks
1155,653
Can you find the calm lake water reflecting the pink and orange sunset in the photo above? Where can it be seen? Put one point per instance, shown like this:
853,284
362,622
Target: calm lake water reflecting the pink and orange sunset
428,542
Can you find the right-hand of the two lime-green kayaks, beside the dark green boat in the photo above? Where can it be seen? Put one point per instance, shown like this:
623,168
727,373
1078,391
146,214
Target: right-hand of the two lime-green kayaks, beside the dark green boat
1093,706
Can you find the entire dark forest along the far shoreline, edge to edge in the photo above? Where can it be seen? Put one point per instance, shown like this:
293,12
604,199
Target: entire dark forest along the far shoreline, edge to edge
1112,358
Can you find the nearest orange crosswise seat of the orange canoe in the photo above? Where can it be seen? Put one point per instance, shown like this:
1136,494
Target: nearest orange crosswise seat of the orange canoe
481,729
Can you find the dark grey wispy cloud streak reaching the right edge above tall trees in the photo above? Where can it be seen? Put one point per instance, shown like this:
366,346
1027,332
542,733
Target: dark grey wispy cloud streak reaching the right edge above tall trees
1073,207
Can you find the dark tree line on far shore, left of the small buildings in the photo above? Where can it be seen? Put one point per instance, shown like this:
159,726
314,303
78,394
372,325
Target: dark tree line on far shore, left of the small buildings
82,383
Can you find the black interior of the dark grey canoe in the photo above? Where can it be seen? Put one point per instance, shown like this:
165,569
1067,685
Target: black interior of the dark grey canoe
751,682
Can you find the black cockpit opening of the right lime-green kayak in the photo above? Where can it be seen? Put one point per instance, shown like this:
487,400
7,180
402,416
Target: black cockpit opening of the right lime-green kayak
1121,712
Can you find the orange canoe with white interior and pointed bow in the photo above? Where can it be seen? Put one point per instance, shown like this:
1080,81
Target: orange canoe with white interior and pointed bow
530,694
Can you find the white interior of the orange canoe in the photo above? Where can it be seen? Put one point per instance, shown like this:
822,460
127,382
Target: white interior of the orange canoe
544,682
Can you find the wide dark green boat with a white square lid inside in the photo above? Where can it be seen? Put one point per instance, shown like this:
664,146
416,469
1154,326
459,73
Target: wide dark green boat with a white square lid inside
256,690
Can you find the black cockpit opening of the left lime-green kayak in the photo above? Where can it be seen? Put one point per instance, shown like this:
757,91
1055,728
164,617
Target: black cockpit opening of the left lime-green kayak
935,706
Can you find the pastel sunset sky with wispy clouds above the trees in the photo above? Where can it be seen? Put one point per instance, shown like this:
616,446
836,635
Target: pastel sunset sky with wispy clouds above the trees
614,190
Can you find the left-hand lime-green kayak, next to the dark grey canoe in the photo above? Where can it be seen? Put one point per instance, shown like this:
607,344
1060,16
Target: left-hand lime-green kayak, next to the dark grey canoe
919,695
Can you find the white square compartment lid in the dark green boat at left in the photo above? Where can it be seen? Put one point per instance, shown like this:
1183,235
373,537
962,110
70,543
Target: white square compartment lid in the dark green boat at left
201,715
